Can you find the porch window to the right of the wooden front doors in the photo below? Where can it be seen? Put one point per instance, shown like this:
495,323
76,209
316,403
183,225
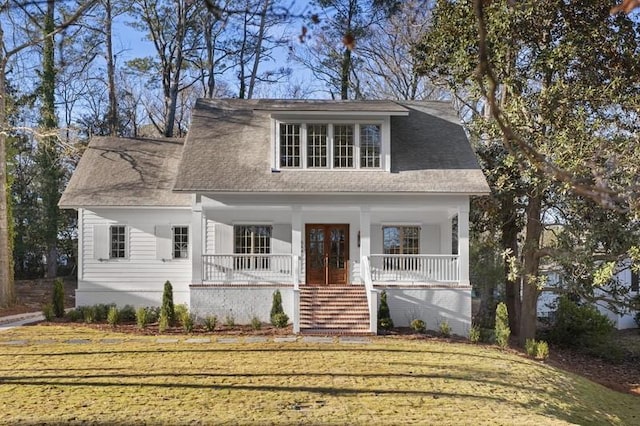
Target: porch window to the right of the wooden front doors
399,240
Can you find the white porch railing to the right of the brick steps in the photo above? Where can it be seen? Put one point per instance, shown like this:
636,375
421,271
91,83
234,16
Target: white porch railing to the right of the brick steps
418,268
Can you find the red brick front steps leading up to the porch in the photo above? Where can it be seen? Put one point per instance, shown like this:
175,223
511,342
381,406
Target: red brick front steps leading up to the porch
334,310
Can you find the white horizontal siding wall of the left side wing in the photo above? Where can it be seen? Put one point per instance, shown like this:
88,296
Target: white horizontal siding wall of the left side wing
143,273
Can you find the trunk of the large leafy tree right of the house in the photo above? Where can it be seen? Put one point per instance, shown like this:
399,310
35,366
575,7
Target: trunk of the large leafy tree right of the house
531,263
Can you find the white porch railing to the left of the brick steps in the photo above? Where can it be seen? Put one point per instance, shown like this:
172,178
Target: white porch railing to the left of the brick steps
249,268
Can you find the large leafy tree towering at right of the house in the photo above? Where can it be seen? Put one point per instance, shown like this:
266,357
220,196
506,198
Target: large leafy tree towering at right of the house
569,88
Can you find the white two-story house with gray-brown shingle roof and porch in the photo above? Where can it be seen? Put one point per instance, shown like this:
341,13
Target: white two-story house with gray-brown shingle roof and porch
329,202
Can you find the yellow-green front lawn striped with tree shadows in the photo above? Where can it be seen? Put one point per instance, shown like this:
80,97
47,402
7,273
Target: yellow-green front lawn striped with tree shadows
390,381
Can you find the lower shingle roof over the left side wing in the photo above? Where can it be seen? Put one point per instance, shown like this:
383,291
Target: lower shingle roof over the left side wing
126,172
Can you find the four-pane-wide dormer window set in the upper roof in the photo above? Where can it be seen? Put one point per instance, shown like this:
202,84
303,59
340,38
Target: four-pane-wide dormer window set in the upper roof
329,145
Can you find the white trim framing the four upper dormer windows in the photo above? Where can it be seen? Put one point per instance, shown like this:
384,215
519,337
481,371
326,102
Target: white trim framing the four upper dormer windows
385,143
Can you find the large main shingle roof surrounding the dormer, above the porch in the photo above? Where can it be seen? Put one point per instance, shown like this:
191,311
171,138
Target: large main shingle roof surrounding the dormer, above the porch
228,149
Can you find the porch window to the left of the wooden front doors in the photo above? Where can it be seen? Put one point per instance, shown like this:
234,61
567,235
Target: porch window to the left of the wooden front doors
254,241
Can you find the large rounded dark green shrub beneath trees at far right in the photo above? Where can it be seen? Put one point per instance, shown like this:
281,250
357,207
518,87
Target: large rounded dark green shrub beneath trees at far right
579,326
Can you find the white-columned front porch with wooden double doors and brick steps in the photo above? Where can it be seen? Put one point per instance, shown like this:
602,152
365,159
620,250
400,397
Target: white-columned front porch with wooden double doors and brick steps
414,248
